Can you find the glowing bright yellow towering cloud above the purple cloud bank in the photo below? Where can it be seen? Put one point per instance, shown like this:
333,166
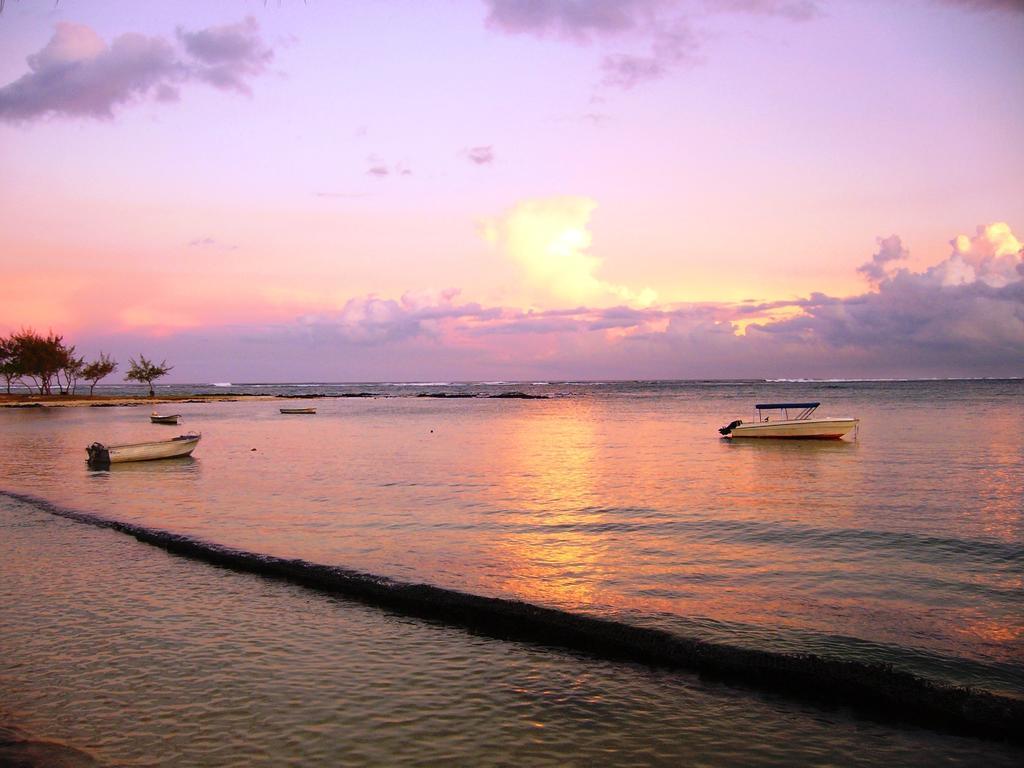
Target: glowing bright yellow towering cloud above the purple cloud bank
549,240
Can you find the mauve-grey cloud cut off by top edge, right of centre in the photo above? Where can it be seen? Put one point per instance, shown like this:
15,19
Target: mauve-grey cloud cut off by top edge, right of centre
663,33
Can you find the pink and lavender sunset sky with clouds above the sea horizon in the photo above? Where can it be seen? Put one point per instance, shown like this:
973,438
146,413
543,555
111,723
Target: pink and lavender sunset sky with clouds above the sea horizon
530,190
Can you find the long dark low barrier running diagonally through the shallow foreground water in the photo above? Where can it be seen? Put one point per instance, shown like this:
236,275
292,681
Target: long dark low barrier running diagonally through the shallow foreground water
877,692
